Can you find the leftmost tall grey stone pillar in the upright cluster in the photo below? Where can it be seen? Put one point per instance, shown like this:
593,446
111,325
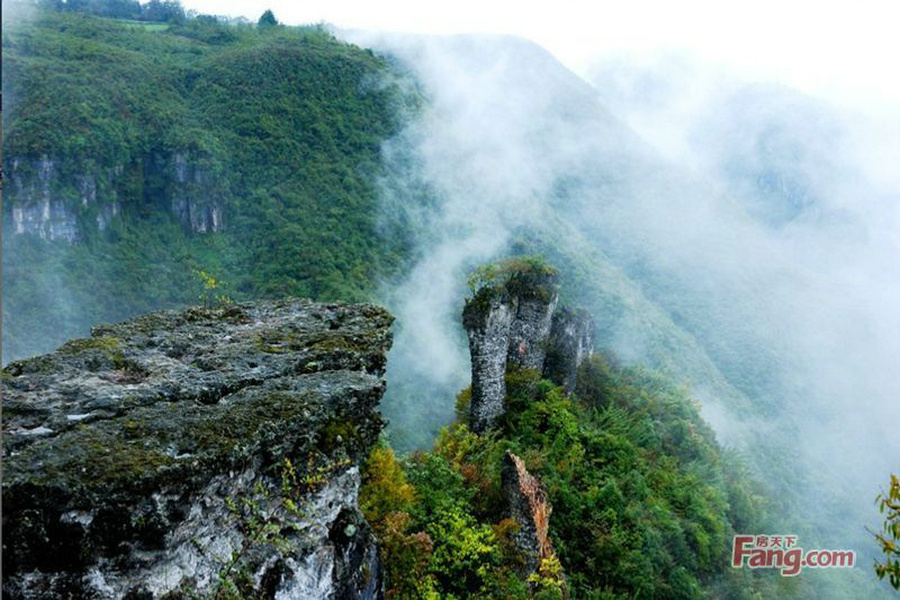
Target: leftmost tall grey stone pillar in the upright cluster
487,318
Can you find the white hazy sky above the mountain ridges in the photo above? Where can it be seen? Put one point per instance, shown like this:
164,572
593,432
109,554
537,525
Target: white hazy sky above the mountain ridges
844,50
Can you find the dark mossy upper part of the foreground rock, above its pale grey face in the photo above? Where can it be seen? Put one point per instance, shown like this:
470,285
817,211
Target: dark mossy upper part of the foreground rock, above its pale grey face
109,441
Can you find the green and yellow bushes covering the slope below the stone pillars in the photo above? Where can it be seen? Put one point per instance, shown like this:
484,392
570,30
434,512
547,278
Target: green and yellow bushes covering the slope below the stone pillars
644,501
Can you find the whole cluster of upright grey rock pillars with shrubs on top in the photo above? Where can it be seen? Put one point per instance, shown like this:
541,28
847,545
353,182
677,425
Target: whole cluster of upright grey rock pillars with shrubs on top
515,322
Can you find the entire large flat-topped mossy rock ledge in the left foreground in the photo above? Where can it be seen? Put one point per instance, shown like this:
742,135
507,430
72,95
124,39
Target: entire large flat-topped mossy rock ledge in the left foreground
172,453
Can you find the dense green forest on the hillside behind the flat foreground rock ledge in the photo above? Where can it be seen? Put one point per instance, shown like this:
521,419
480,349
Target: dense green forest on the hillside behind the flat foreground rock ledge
282,124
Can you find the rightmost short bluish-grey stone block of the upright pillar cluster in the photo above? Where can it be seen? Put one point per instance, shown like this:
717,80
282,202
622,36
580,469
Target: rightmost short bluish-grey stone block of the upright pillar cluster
571,341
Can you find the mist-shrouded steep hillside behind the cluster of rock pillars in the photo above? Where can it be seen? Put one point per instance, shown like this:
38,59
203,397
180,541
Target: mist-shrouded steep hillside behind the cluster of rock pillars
765,324
